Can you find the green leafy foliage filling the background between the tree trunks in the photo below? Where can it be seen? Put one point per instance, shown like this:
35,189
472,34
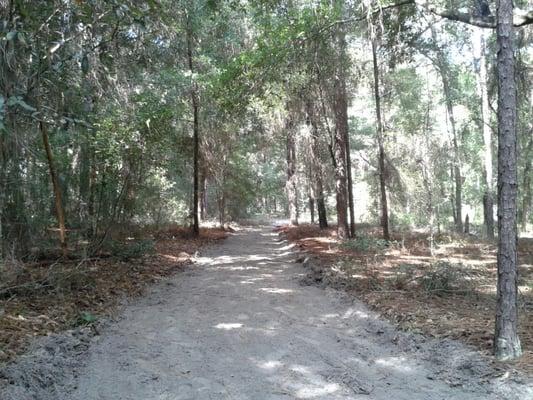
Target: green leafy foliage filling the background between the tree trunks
113,85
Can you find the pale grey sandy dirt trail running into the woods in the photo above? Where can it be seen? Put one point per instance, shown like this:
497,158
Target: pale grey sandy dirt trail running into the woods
239,326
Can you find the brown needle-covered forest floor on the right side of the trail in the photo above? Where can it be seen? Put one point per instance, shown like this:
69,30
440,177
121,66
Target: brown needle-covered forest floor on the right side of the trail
450,293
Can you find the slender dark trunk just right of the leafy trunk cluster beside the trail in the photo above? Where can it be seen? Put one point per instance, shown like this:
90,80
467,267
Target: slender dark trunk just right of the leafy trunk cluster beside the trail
381,149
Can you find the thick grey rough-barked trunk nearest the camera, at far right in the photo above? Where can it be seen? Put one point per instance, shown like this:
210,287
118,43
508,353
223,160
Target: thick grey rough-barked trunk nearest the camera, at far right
506,342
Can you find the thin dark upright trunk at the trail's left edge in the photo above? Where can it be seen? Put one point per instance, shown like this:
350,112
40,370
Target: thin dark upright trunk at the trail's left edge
196,133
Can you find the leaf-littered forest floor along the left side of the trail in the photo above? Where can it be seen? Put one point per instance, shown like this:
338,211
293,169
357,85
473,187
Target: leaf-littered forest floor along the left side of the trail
45,296
